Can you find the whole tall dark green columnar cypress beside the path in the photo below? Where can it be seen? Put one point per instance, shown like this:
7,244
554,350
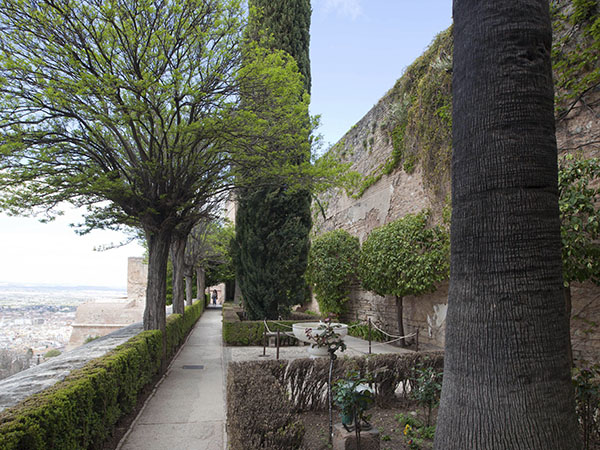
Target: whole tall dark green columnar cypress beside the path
273,224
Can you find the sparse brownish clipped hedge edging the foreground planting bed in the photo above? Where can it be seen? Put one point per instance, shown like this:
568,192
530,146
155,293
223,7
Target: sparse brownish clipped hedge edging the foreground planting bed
263,397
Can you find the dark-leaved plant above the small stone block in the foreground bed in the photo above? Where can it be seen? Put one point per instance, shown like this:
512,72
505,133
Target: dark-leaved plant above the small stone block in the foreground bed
354,396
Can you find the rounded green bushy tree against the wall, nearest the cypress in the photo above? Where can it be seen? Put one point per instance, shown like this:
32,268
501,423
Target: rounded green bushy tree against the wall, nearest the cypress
332,266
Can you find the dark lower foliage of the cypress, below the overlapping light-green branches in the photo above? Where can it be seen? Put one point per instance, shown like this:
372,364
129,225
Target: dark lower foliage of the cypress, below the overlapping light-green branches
271,251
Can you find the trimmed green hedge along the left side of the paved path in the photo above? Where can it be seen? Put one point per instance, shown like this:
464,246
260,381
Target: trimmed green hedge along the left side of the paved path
81,411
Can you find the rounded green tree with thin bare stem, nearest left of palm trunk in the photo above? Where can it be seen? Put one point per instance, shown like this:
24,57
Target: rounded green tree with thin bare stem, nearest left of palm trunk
404,257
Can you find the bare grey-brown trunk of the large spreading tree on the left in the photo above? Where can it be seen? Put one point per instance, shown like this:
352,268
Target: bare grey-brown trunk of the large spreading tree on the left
154,314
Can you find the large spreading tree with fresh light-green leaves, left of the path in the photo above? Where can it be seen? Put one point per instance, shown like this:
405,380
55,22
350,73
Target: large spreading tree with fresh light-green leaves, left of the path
130,109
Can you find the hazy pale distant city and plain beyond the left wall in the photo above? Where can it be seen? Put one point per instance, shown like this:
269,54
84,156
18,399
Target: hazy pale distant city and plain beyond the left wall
35,320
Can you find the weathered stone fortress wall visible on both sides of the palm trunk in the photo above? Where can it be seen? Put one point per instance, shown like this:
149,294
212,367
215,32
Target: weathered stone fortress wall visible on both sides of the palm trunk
368,146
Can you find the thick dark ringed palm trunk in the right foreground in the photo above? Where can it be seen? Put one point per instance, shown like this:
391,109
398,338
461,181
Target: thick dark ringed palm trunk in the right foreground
506,371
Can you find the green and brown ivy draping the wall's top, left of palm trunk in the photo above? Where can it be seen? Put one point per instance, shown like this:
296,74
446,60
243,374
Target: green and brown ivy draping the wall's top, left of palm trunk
419,120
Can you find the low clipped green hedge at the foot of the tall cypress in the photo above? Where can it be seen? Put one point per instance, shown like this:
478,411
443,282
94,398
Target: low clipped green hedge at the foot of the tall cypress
250,332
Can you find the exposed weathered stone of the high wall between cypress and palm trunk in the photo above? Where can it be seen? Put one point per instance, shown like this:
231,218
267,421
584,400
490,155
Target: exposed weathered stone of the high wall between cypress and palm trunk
390,198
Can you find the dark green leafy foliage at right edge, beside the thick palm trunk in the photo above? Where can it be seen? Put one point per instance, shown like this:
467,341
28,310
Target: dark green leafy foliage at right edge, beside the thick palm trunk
579,202
